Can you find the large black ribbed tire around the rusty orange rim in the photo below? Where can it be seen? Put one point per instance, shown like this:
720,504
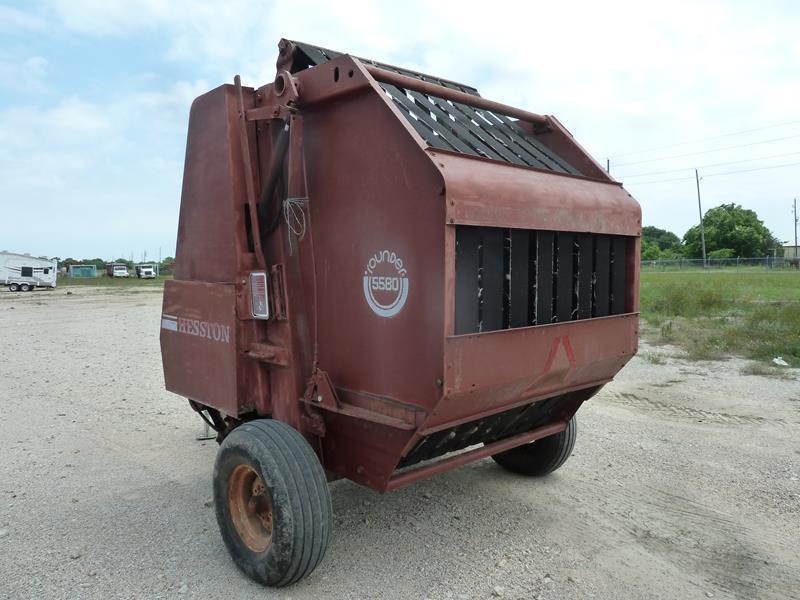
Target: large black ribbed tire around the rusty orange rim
301,501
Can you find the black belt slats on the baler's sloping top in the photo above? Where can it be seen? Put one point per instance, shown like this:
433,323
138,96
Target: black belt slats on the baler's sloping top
455,126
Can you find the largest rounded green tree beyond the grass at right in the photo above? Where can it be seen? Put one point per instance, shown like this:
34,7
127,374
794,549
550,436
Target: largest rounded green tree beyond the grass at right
731,227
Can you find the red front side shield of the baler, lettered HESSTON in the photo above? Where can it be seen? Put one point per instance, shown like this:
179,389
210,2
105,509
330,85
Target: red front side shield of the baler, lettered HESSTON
213,247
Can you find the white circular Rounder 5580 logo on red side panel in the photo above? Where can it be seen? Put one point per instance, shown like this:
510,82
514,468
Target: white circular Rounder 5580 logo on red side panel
385,283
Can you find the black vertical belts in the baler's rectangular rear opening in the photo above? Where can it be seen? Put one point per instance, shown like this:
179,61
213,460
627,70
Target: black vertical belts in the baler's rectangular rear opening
507,278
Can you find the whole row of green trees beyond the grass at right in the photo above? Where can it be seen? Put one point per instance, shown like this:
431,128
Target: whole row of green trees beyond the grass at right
730,231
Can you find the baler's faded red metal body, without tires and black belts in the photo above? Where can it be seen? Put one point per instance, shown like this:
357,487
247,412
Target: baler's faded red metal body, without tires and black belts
364,297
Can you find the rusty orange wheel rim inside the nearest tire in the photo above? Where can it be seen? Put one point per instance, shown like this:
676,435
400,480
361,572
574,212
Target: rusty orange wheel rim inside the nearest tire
250,508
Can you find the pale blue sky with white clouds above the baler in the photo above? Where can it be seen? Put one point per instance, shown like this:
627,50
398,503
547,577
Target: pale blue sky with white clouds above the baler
94,98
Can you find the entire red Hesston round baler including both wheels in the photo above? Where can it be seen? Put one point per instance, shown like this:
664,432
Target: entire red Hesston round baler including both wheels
381,276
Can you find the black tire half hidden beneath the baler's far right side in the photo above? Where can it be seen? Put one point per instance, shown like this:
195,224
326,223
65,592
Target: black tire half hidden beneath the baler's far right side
541,457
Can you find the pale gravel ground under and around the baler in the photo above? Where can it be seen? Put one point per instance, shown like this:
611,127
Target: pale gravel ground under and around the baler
684,484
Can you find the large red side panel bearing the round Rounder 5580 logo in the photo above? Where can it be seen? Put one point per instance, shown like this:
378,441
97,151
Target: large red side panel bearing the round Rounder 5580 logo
374,194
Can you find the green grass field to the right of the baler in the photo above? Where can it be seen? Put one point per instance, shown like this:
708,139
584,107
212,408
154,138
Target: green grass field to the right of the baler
712,314
